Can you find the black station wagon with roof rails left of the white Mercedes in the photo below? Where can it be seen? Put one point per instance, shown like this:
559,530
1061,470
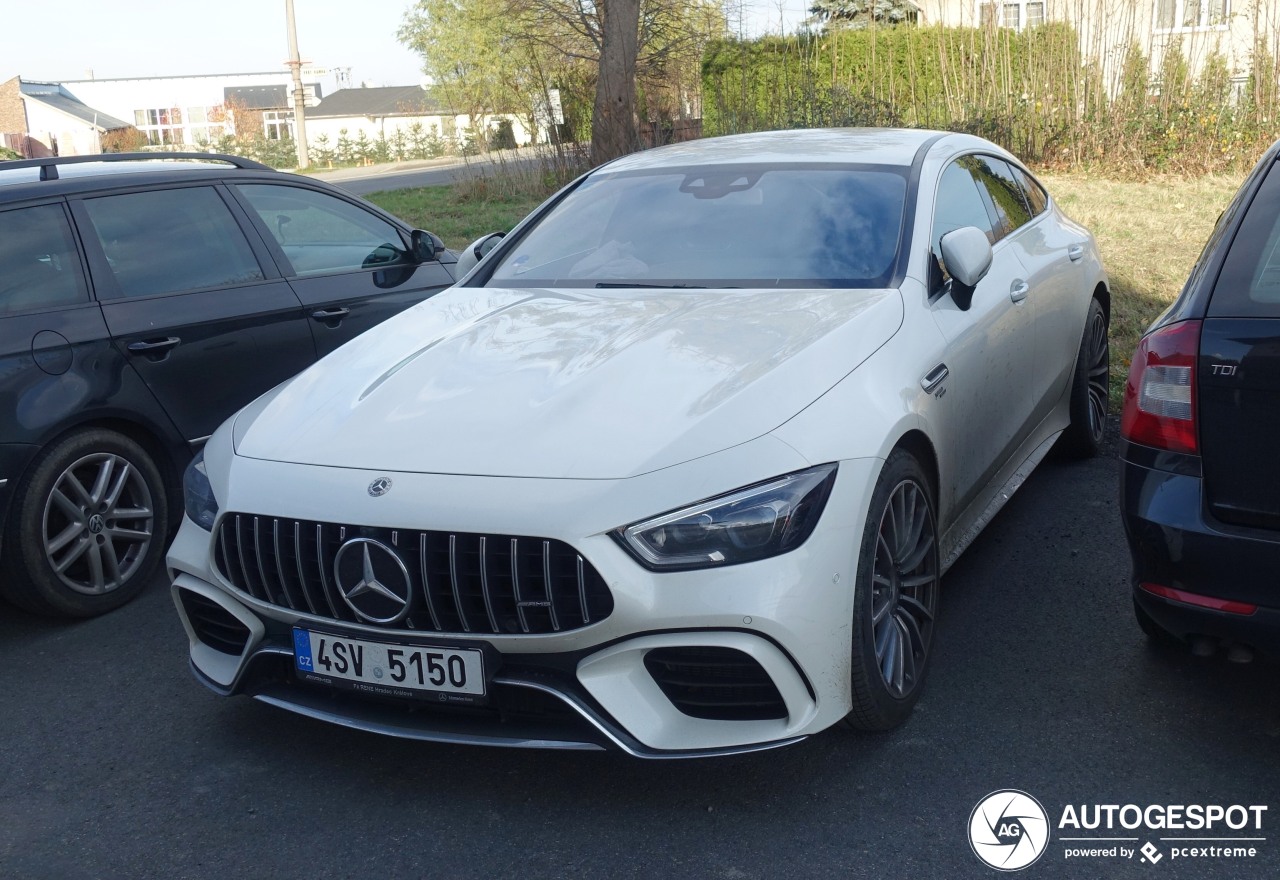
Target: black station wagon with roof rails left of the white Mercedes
144,299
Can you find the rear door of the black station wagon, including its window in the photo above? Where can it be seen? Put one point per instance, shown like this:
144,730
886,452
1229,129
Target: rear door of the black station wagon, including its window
196,305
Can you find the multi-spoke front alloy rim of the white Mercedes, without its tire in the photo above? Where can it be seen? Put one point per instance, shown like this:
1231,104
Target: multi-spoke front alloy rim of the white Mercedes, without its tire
904,588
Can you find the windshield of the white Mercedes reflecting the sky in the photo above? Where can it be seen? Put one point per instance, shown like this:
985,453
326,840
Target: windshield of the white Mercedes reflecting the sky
748,227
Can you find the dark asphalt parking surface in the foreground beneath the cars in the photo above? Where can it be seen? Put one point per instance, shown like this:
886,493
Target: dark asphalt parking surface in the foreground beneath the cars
117,764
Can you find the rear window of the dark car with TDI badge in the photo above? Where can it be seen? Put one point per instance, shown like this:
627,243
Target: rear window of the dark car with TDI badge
1250,283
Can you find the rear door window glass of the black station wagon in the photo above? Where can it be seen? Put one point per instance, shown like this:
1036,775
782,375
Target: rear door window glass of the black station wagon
170,241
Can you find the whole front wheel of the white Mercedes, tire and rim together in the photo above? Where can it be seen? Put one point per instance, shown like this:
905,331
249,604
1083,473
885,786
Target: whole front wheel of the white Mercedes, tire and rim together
895,598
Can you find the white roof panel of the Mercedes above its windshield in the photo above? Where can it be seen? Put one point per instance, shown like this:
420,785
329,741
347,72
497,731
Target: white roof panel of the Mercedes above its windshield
870,146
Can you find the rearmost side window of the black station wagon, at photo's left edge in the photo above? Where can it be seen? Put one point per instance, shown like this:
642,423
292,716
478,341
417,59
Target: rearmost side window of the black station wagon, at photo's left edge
39,265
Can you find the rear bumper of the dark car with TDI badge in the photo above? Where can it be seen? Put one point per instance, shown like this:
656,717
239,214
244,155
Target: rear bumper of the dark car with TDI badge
1176,544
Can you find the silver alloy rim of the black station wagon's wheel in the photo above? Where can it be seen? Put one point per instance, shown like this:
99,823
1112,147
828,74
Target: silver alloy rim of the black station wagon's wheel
99,524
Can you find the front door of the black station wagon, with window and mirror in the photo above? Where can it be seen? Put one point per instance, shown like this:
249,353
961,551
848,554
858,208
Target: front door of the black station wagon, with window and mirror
350,267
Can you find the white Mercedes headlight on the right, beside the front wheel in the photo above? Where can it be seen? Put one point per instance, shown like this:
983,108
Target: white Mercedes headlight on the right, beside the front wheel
756,522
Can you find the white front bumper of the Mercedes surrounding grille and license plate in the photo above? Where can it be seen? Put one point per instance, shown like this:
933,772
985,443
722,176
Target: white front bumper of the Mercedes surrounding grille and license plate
788,617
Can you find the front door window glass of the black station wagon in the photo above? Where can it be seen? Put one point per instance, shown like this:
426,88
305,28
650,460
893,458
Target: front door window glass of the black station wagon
322,233
